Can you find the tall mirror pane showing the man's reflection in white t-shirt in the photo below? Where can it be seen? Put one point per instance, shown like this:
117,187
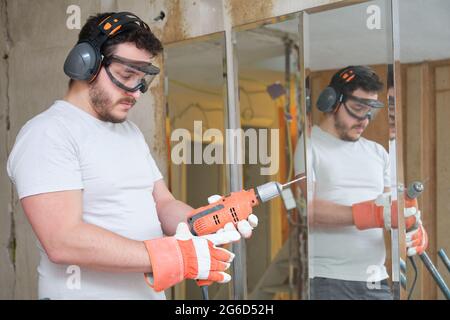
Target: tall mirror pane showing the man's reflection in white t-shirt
348,158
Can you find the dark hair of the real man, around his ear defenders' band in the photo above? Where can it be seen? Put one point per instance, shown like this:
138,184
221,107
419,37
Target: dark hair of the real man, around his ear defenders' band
143,38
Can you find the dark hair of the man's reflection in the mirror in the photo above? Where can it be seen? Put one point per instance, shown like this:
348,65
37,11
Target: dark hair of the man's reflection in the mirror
365,79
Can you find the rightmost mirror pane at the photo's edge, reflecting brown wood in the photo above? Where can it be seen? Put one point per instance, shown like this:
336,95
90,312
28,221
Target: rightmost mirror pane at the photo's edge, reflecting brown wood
423,70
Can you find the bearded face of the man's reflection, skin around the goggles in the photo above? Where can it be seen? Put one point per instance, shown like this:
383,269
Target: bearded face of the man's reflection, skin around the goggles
347,127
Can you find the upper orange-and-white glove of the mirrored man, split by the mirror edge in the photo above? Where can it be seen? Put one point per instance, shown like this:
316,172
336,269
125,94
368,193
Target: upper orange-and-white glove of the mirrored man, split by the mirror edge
382,212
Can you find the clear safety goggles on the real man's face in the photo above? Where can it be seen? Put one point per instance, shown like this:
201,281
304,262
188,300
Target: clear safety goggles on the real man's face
130,75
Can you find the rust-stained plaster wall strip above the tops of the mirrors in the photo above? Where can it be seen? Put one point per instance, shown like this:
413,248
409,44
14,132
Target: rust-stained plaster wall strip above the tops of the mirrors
192,18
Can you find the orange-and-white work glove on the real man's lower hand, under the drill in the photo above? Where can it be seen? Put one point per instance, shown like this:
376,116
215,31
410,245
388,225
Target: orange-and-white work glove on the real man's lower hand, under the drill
185,256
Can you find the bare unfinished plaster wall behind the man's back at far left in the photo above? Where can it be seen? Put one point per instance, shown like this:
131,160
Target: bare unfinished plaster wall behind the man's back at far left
35,41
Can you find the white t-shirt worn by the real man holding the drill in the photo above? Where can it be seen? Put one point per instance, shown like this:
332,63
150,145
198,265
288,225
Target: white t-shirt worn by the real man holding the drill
65,148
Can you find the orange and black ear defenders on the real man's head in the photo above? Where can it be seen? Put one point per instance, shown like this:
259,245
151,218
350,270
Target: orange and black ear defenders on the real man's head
85,59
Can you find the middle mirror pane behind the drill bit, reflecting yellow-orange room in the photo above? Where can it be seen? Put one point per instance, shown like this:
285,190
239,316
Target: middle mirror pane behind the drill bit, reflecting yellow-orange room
268,81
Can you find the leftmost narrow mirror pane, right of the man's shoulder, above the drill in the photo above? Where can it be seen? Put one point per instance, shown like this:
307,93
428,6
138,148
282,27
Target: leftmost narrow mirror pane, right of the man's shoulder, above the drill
195,126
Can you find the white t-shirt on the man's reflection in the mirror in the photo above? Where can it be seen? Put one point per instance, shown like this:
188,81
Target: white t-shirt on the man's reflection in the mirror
345,173
